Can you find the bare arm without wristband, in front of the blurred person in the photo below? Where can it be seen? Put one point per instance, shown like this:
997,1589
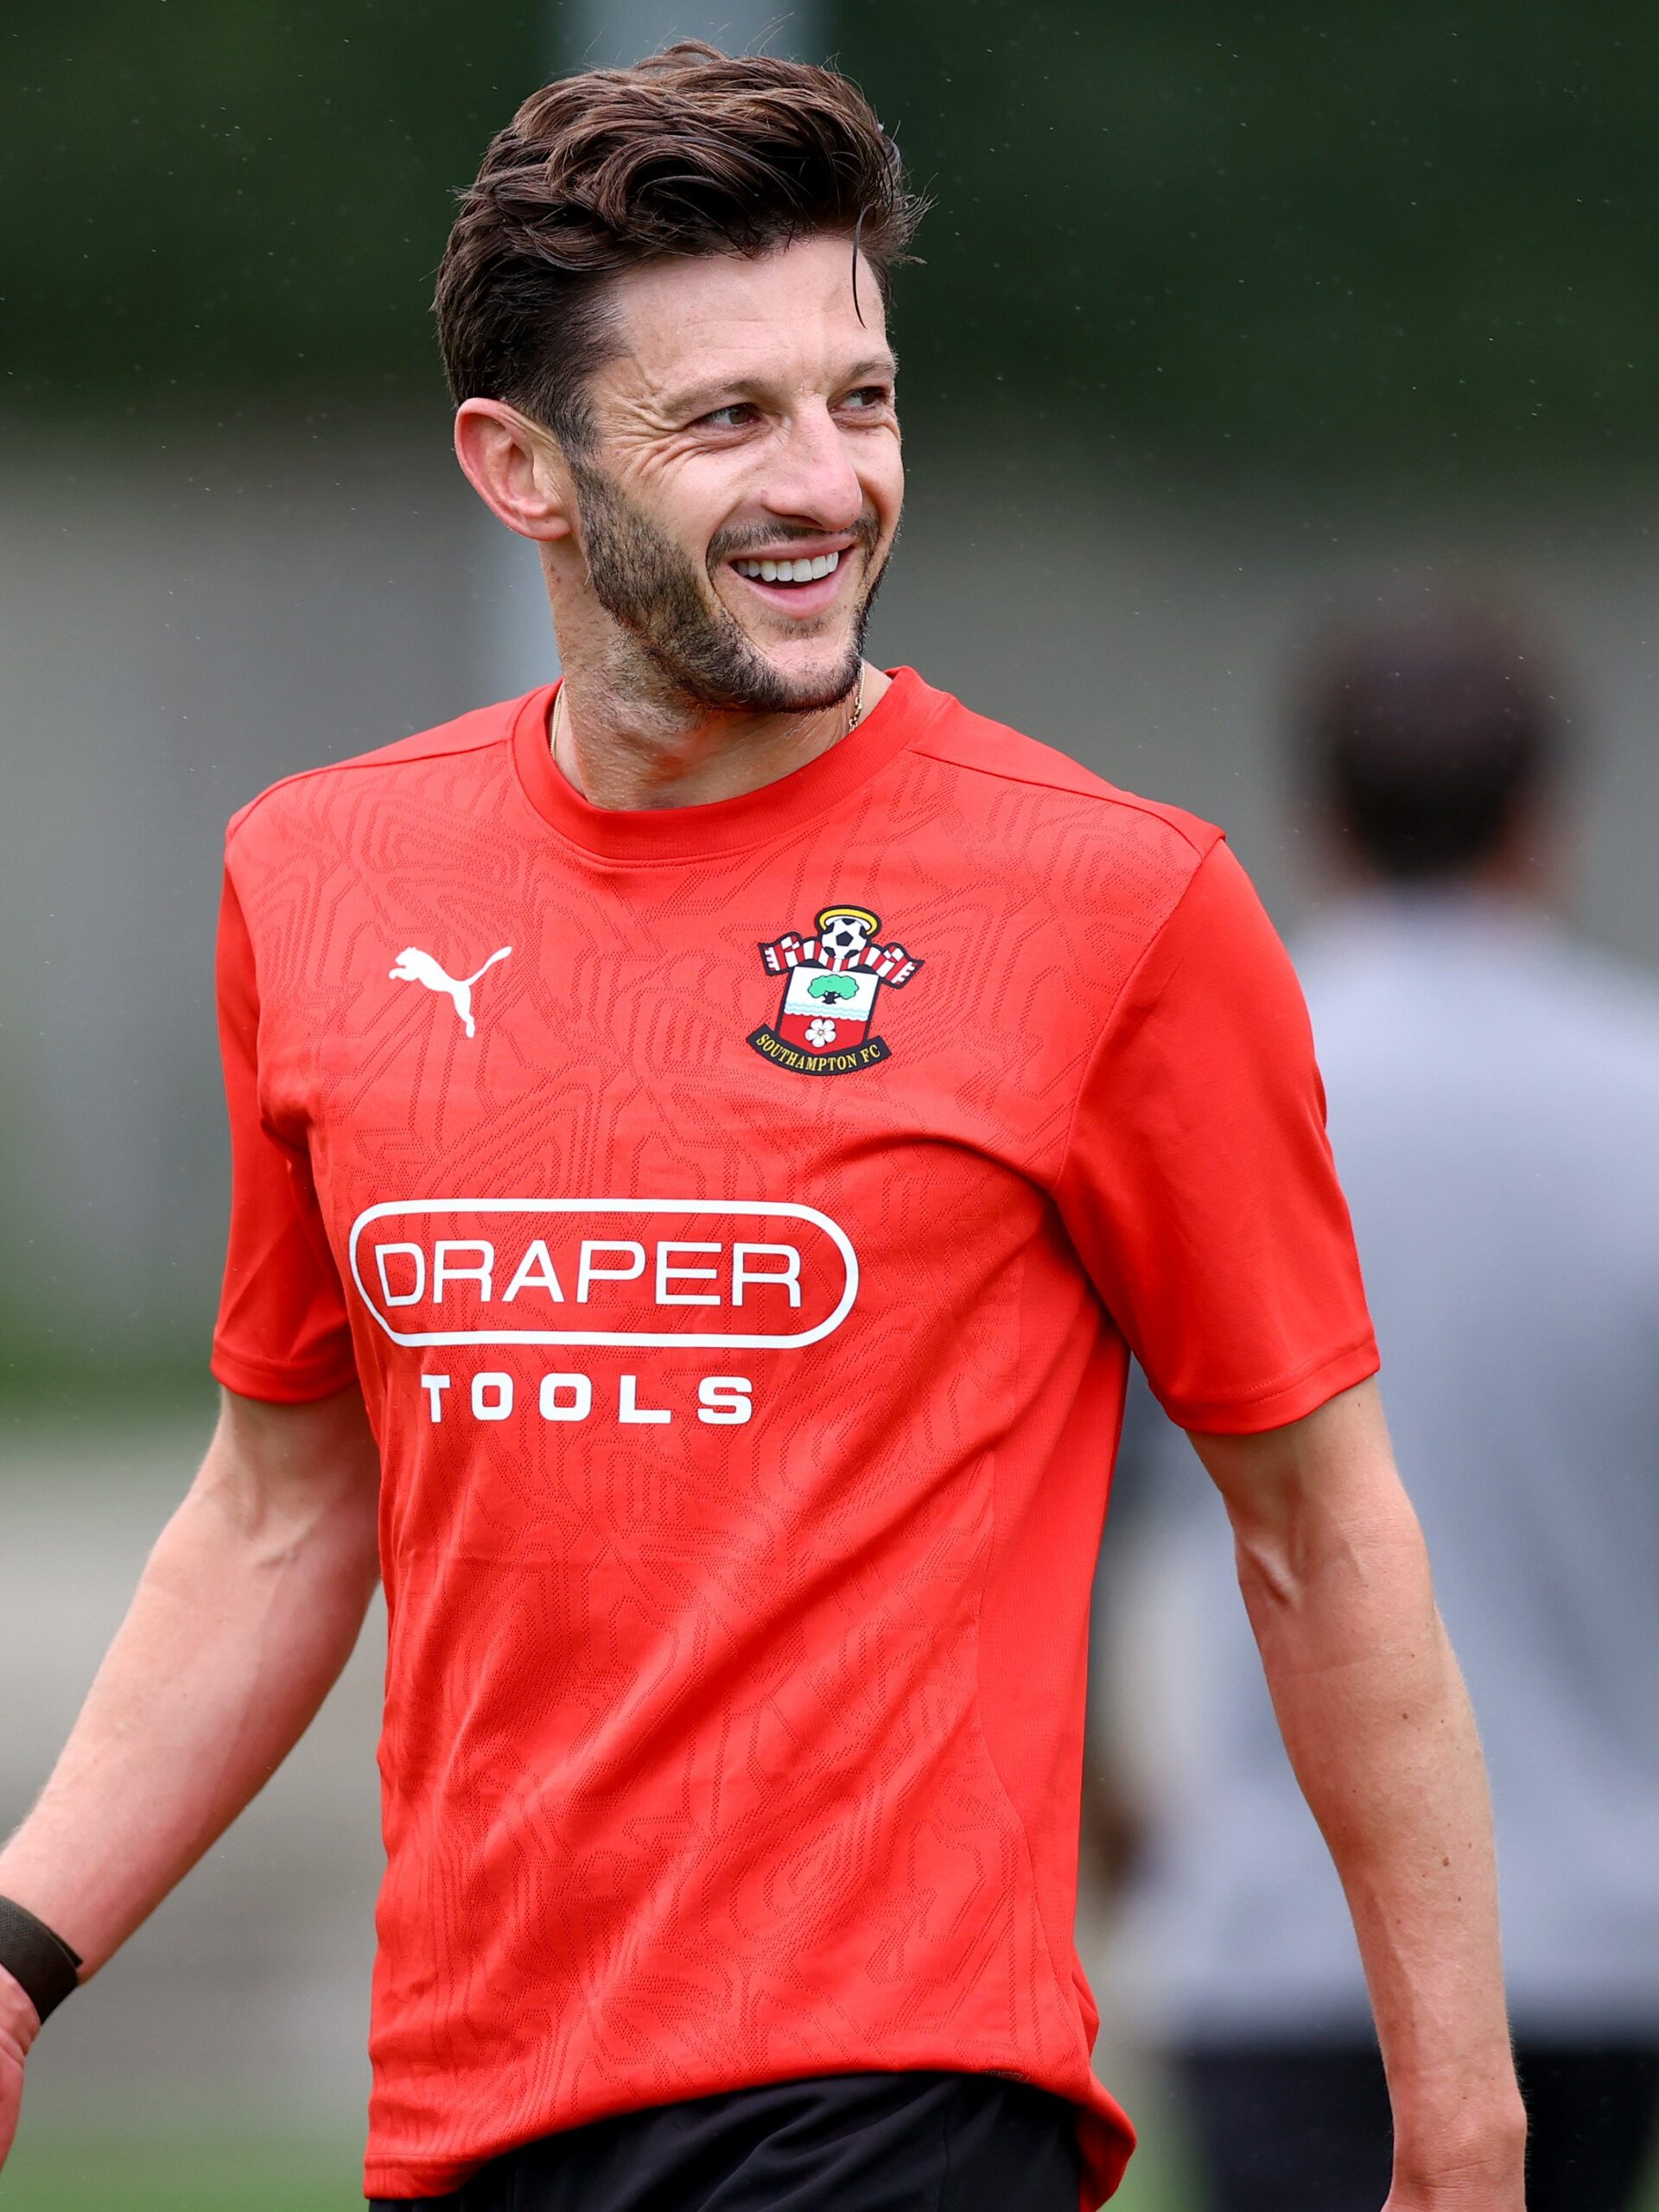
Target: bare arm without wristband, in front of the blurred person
1379,1731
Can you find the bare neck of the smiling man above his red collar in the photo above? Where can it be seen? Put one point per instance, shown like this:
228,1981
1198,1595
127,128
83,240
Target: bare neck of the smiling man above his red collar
627,753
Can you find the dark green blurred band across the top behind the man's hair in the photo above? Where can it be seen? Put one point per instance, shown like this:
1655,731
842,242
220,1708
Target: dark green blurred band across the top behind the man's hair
1370,238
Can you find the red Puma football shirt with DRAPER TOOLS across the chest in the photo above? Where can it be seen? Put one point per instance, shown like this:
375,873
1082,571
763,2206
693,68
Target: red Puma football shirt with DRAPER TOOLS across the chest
740,1220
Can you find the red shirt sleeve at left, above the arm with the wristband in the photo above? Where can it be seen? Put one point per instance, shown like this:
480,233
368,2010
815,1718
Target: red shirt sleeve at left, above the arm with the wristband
282,1315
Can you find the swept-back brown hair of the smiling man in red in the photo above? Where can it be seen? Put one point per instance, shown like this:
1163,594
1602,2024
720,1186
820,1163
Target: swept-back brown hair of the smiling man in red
689,152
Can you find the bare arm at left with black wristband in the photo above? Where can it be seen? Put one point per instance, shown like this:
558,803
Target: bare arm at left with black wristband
244,1616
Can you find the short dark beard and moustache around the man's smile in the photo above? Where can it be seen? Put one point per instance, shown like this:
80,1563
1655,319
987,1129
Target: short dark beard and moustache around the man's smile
687,651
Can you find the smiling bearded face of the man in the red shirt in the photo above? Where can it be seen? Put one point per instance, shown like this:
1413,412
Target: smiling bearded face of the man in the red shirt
749,424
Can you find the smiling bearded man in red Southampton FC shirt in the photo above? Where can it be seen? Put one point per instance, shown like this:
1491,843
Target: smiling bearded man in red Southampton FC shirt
705,1138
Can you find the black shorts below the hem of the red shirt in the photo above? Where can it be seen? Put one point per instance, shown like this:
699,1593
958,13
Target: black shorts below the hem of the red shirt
899,2142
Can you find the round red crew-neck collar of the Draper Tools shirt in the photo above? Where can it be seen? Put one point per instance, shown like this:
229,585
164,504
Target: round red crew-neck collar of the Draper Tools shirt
722,824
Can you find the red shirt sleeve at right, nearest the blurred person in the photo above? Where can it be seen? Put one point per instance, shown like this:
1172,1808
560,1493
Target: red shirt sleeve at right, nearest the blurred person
1200,1185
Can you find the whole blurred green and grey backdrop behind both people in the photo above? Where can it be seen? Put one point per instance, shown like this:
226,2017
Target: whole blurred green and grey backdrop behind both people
1227,320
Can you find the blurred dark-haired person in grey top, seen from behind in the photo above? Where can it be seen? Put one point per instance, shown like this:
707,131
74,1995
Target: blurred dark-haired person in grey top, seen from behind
1494,1096
